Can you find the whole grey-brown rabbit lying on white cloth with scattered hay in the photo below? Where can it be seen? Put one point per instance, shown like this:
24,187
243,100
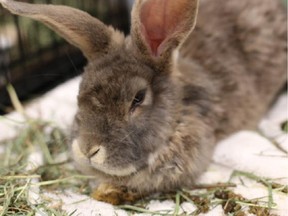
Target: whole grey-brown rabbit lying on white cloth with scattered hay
153,105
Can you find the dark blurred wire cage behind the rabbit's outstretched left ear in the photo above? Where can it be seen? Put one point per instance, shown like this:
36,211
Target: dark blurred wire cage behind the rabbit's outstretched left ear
35,59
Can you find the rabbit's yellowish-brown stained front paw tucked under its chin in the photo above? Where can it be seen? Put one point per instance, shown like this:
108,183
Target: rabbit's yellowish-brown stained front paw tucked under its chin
114,195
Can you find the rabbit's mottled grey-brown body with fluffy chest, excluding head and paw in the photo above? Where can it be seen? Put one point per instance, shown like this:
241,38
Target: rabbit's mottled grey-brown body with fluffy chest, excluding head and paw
229,70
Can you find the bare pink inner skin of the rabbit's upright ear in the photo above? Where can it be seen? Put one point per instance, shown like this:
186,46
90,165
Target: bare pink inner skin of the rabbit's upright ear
159,19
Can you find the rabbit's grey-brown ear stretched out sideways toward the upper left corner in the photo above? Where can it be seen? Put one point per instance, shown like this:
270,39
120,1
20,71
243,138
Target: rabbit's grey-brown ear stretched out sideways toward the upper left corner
87,33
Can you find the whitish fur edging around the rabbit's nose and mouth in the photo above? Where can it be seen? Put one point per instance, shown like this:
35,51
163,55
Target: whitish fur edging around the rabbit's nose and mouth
97,163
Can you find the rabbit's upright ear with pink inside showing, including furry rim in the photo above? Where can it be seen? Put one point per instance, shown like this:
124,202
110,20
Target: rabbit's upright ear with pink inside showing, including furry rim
159,26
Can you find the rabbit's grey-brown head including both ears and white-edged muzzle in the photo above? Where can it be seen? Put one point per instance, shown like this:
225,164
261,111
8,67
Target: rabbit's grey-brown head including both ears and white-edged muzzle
129,98
